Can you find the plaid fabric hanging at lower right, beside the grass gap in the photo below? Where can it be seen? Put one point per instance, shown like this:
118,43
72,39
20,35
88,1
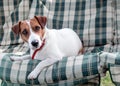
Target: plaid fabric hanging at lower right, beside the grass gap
112,62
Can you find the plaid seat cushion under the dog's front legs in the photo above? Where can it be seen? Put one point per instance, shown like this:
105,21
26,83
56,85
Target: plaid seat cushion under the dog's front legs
75,70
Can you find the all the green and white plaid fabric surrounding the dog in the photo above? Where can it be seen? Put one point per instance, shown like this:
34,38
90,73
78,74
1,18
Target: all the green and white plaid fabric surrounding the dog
96,23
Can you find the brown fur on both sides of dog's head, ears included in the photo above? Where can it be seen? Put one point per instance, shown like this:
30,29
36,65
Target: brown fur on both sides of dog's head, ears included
37,24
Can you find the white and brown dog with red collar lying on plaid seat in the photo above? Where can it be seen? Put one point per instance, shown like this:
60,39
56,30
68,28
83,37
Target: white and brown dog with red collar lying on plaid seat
51,44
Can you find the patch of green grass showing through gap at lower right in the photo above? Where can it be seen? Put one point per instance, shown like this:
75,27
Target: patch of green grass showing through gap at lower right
106,81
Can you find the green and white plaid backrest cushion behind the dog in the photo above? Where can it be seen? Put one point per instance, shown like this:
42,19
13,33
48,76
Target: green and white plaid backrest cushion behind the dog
91,19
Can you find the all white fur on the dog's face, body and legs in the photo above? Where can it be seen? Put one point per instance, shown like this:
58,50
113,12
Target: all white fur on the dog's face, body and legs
58,44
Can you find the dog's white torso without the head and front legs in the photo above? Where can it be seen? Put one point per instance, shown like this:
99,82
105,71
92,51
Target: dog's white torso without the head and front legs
58,44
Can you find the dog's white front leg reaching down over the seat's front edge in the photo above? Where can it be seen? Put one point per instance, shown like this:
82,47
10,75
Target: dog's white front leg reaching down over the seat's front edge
40,66
